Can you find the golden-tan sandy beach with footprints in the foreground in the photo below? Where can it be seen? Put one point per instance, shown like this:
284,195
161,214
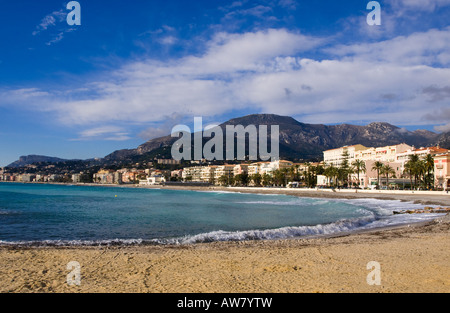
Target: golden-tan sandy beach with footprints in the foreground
412,259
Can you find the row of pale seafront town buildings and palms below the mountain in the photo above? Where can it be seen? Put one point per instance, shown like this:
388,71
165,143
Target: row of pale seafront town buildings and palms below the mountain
390,167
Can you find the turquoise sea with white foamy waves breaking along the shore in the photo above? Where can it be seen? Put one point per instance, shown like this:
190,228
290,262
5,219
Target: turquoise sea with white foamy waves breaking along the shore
66,215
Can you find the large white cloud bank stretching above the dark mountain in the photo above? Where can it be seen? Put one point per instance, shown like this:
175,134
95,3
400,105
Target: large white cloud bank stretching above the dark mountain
266,71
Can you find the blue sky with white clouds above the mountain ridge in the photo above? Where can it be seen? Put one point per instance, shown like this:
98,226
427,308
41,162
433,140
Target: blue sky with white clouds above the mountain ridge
134,69
